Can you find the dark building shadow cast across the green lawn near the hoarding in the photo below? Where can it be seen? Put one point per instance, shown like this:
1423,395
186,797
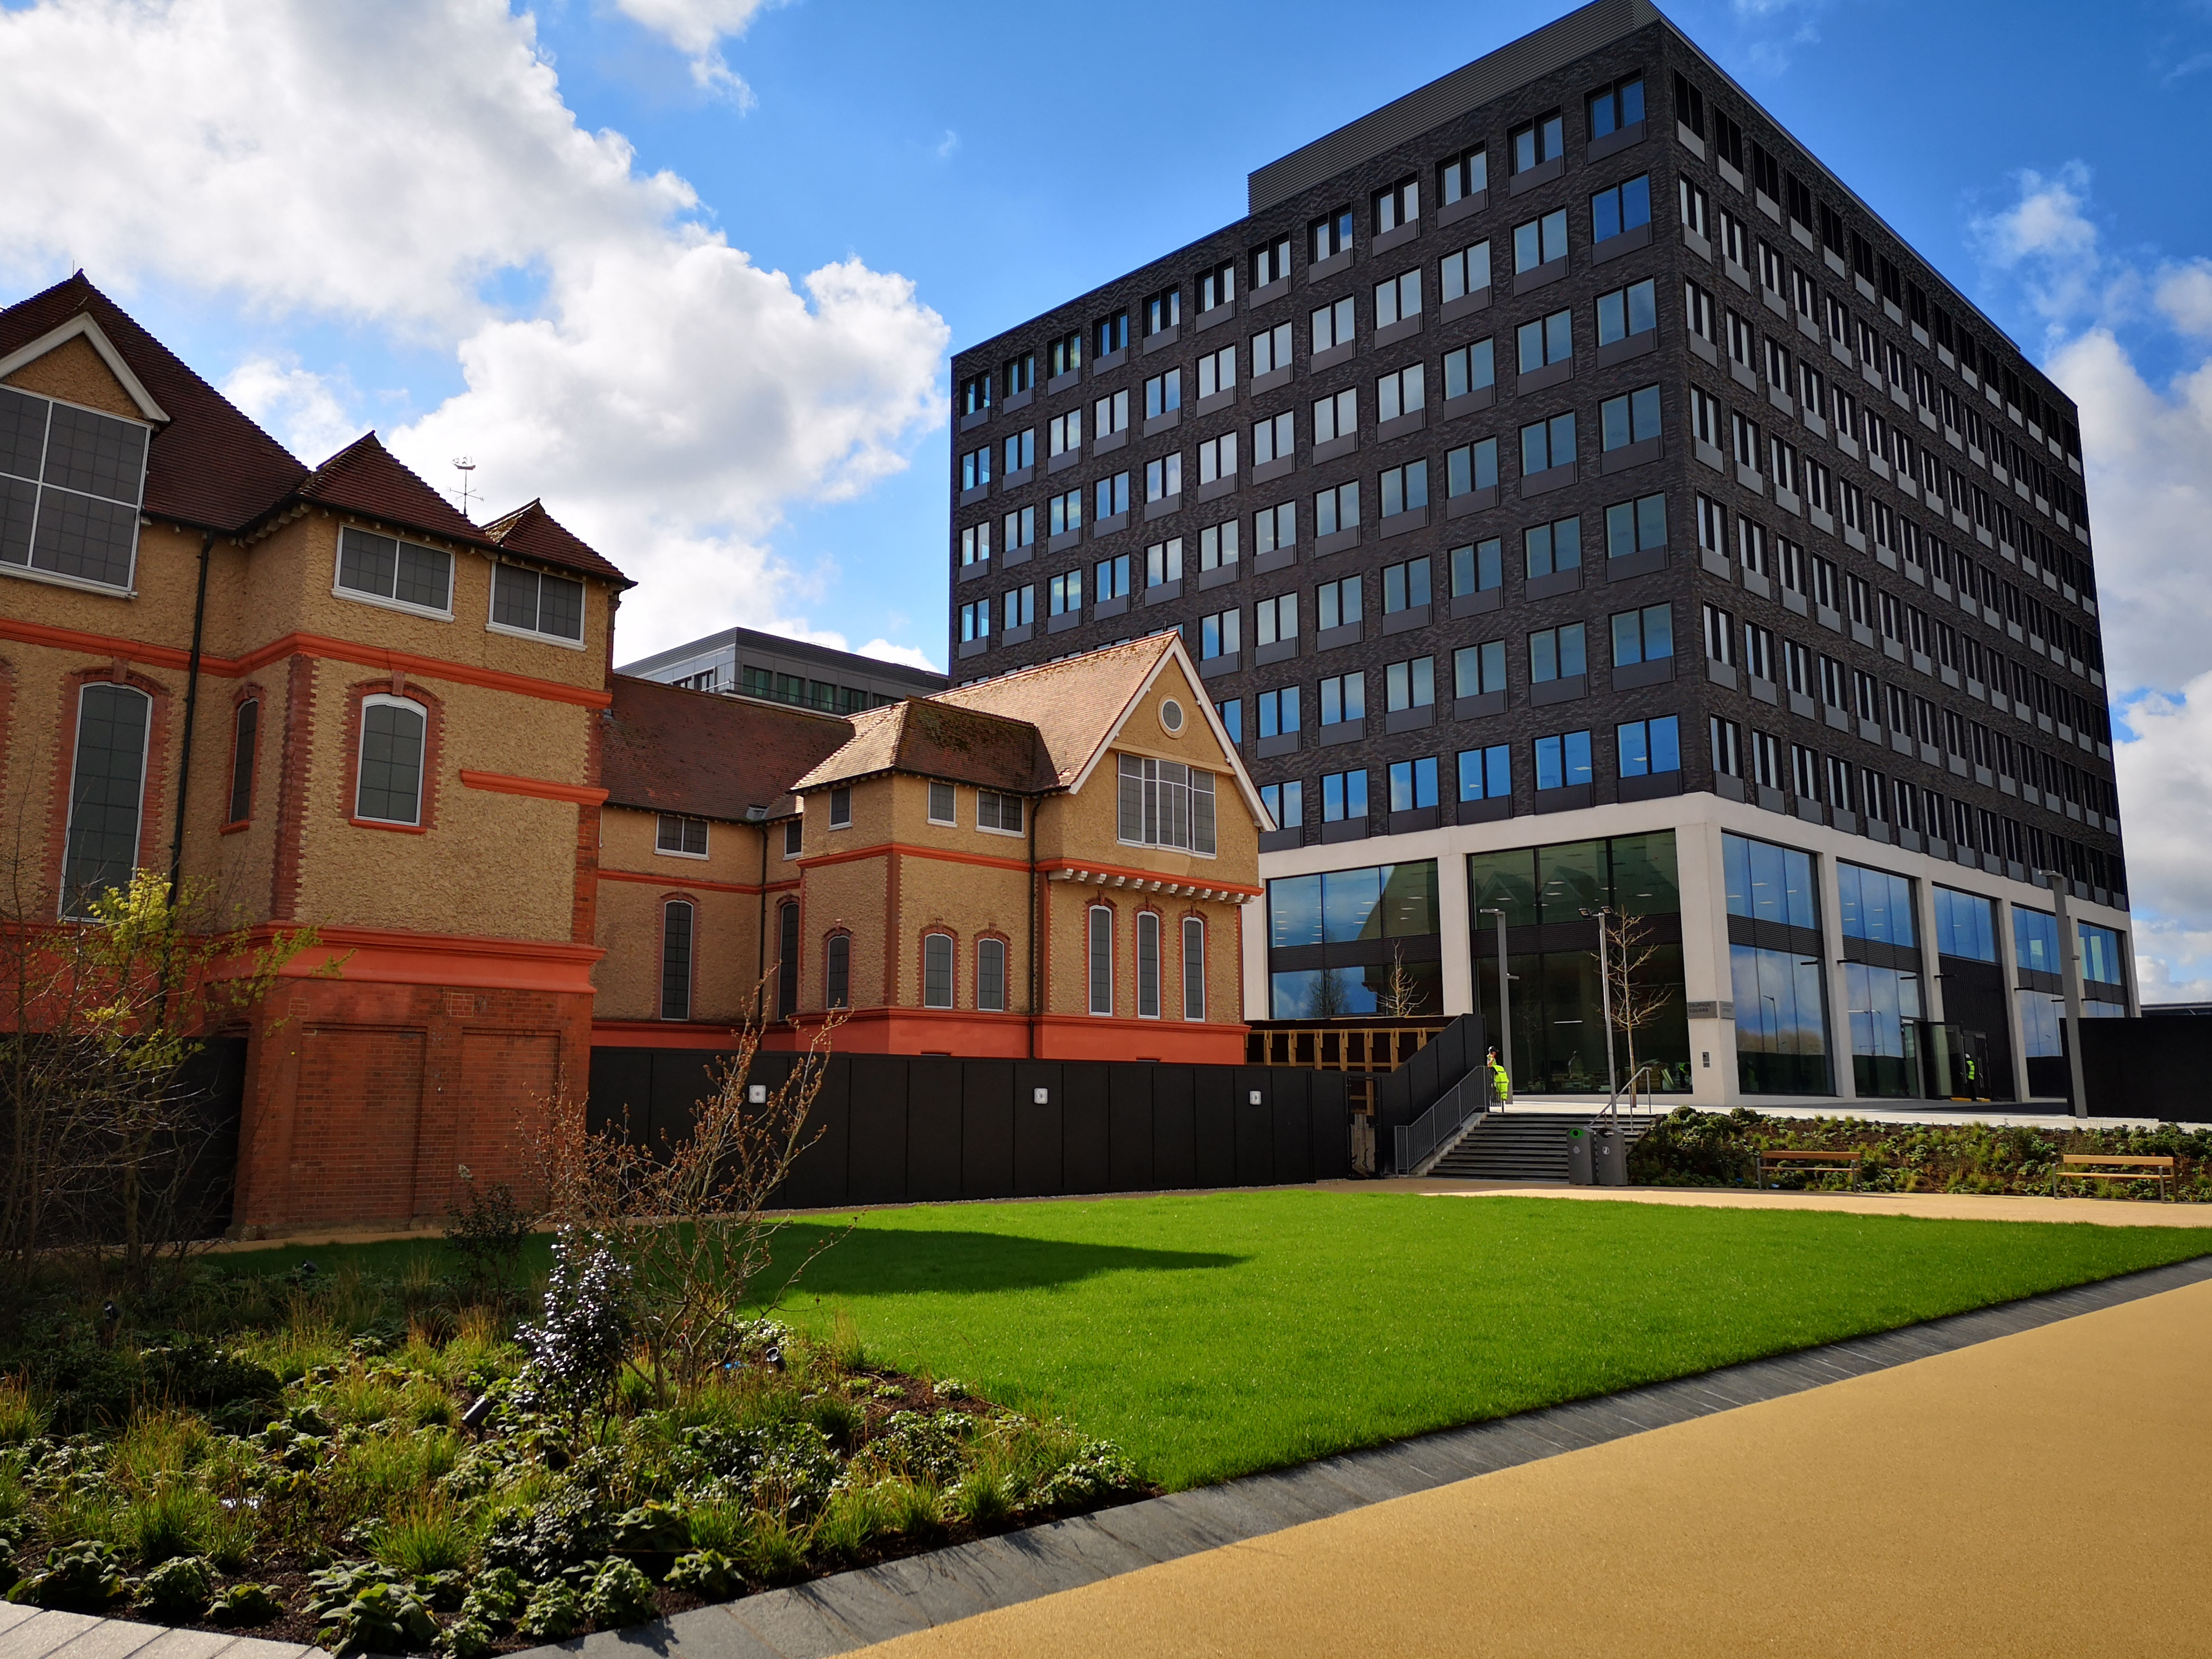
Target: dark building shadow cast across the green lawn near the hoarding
875,1262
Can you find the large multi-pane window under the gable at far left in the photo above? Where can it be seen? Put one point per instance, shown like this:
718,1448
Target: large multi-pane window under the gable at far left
70,490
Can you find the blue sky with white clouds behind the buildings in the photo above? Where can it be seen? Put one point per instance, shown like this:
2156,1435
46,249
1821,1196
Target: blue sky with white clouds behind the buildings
448,238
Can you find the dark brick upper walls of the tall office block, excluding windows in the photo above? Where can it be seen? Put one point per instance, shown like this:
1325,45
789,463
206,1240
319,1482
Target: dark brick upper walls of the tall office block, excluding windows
2078,837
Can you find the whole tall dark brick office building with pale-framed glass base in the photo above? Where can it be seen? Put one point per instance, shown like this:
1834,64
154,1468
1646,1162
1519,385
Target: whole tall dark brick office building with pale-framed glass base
1580,499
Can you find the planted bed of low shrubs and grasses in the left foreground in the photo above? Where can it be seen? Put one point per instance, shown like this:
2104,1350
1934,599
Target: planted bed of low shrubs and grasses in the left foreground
317,1472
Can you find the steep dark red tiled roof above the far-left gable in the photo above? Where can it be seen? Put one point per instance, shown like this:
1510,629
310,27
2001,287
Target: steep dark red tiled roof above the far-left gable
209,466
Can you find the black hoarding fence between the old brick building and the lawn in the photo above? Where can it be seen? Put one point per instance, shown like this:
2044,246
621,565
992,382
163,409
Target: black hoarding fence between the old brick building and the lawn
901,1129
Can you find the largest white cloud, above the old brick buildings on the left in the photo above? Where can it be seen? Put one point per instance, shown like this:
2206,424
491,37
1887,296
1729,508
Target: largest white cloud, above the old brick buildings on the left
667,397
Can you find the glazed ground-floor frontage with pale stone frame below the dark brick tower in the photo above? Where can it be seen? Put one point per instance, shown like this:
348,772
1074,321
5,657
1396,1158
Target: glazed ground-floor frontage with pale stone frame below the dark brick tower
1746,957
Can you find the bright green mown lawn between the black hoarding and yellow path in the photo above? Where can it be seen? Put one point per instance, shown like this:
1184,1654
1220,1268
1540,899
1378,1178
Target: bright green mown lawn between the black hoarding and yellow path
1235,1333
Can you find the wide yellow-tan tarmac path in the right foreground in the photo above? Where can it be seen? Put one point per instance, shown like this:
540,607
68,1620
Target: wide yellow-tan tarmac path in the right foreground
2038,1494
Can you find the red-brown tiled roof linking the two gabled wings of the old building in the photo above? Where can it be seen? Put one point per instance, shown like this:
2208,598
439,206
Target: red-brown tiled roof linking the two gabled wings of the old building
665,749
